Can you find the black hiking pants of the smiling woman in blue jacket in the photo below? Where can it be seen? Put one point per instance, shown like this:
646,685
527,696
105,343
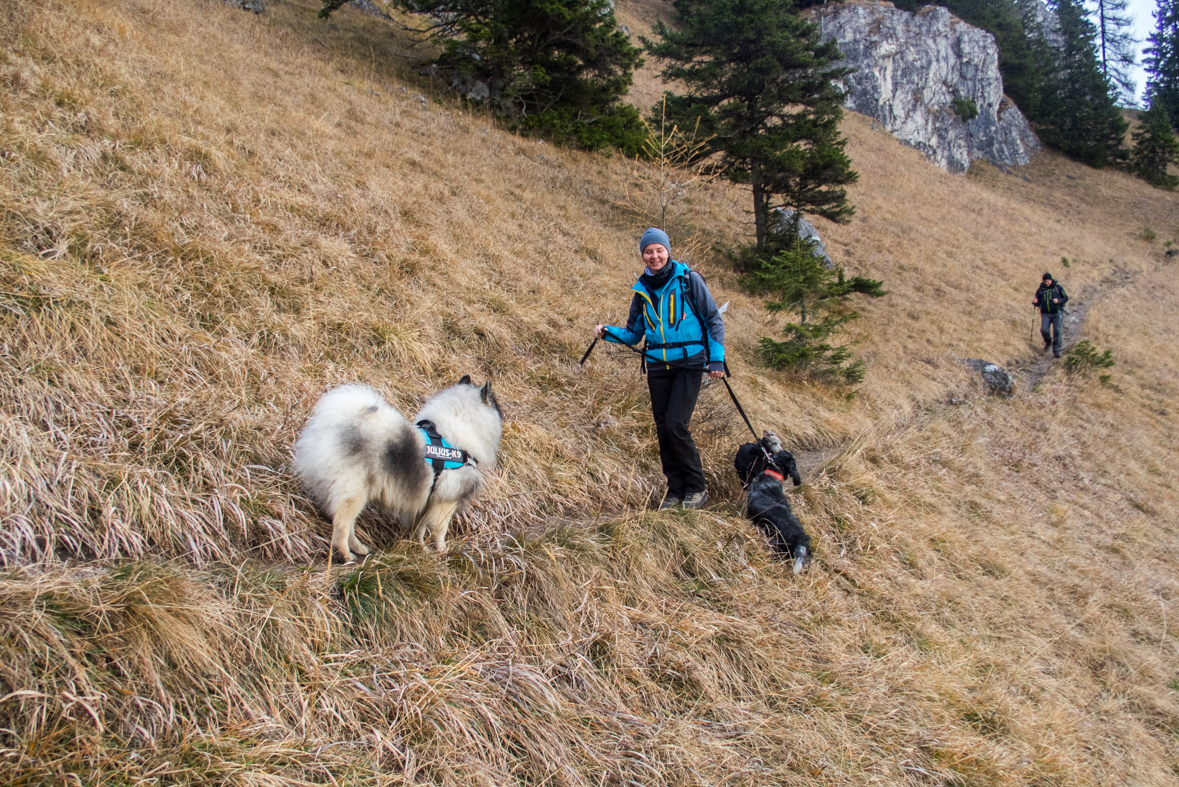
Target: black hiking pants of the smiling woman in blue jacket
674,394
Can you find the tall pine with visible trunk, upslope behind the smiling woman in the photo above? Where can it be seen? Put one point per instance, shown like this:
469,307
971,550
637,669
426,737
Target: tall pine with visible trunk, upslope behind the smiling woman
762,84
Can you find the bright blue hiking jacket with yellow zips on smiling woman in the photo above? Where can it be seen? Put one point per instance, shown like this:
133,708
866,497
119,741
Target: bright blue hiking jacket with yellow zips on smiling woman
680,321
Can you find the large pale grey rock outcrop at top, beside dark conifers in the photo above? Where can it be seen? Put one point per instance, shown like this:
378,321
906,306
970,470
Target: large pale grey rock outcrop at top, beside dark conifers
932,81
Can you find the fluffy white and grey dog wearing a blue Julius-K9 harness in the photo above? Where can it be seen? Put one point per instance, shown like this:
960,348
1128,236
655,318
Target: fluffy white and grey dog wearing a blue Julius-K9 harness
358,449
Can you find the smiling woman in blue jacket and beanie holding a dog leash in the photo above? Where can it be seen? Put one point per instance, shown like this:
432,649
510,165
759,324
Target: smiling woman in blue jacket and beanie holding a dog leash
686,336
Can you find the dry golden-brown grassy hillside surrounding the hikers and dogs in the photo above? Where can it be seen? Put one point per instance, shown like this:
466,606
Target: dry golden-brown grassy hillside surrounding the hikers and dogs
209,219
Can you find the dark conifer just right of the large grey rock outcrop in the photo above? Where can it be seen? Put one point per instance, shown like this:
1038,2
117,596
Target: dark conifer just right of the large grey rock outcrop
1077,114
